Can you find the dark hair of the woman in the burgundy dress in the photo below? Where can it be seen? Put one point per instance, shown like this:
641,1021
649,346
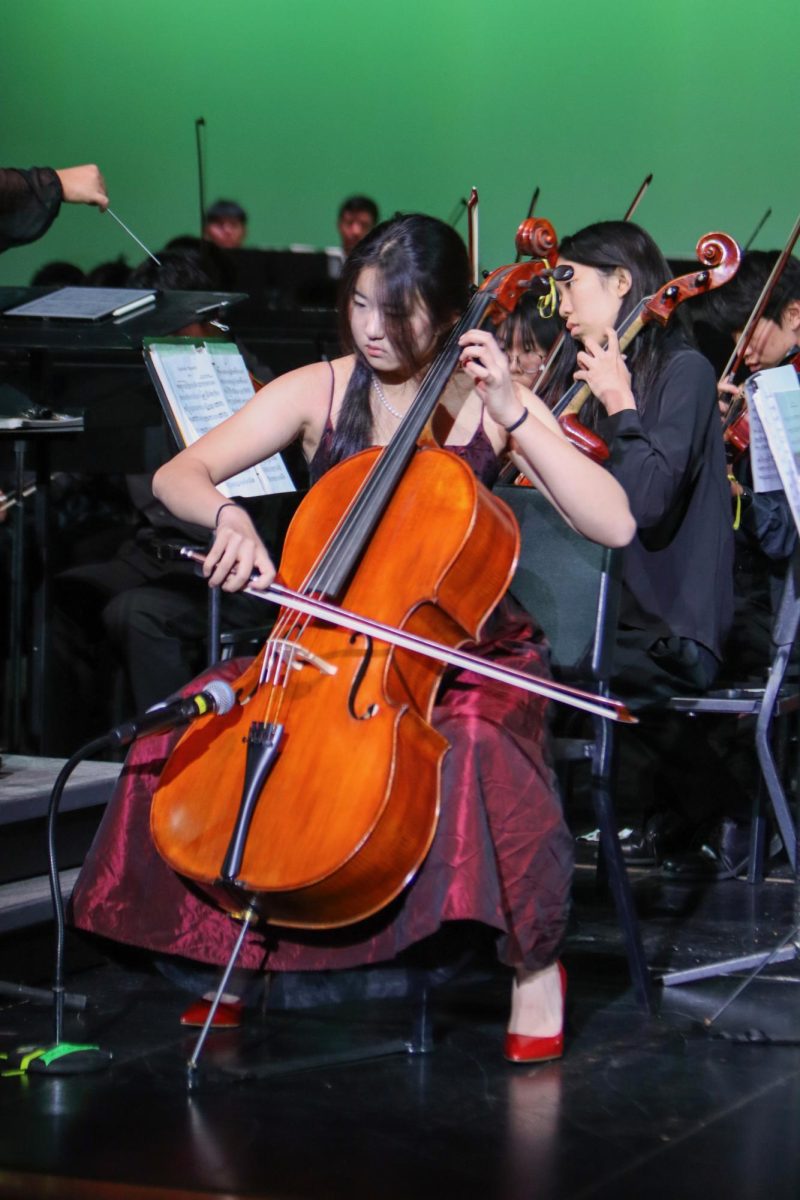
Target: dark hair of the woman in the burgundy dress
419,260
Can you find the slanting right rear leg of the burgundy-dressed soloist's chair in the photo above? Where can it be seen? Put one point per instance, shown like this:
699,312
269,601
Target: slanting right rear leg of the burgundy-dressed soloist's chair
618,880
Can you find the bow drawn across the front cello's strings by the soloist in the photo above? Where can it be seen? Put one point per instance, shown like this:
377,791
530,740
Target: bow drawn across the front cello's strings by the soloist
322,610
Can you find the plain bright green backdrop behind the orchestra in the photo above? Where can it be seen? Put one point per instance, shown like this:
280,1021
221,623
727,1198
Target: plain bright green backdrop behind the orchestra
308,101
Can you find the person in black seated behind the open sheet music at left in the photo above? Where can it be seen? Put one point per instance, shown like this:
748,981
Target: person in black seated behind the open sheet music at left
122,604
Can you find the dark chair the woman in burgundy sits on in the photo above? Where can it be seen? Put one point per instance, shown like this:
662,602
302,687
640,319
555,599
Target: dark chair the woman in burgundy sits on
572,586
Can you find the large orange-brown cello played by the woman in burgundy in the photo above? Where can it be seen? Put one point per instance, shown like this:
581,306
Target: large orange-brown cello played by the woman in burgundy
327,772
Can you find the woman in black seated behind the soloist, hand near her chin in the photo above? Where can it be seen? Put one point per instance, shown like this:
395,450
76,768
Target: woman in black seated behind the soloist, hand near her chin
657,409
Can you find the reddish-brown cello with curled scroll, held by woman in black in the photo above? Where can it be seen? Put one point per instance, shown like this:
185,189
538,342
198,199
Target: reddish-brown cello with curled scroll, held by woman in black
720,255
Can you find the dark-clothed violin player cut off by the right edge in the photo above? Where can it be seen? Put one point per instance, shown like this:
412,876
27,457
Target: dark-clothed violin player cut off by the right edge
766,536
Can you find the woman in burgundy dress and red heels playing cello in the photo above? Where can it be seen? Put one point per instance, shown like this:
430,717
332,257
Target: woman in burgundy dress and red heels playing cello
502,854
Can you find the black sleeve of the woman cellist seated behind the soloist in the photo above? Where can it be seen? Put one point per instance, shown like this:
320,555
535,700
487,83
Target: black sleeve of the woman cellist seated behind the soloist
655,455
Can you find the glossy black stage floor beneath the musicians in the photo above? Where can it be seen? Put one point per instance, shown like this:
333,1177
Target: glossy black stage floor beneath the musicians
639,1107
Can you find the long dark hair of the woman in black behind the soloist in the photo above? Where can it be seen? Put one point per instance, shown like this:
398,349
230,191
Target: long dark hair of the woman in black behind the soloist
607,247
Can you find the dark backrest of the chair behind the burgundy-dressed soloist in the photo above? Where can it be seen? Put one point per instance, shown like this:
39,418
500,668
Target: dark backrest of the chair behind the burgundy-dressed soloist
570,585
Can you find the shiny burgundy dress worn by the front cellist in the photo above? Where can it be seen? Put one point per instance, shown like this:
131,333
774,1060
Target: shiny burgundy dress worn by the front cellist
502,854
